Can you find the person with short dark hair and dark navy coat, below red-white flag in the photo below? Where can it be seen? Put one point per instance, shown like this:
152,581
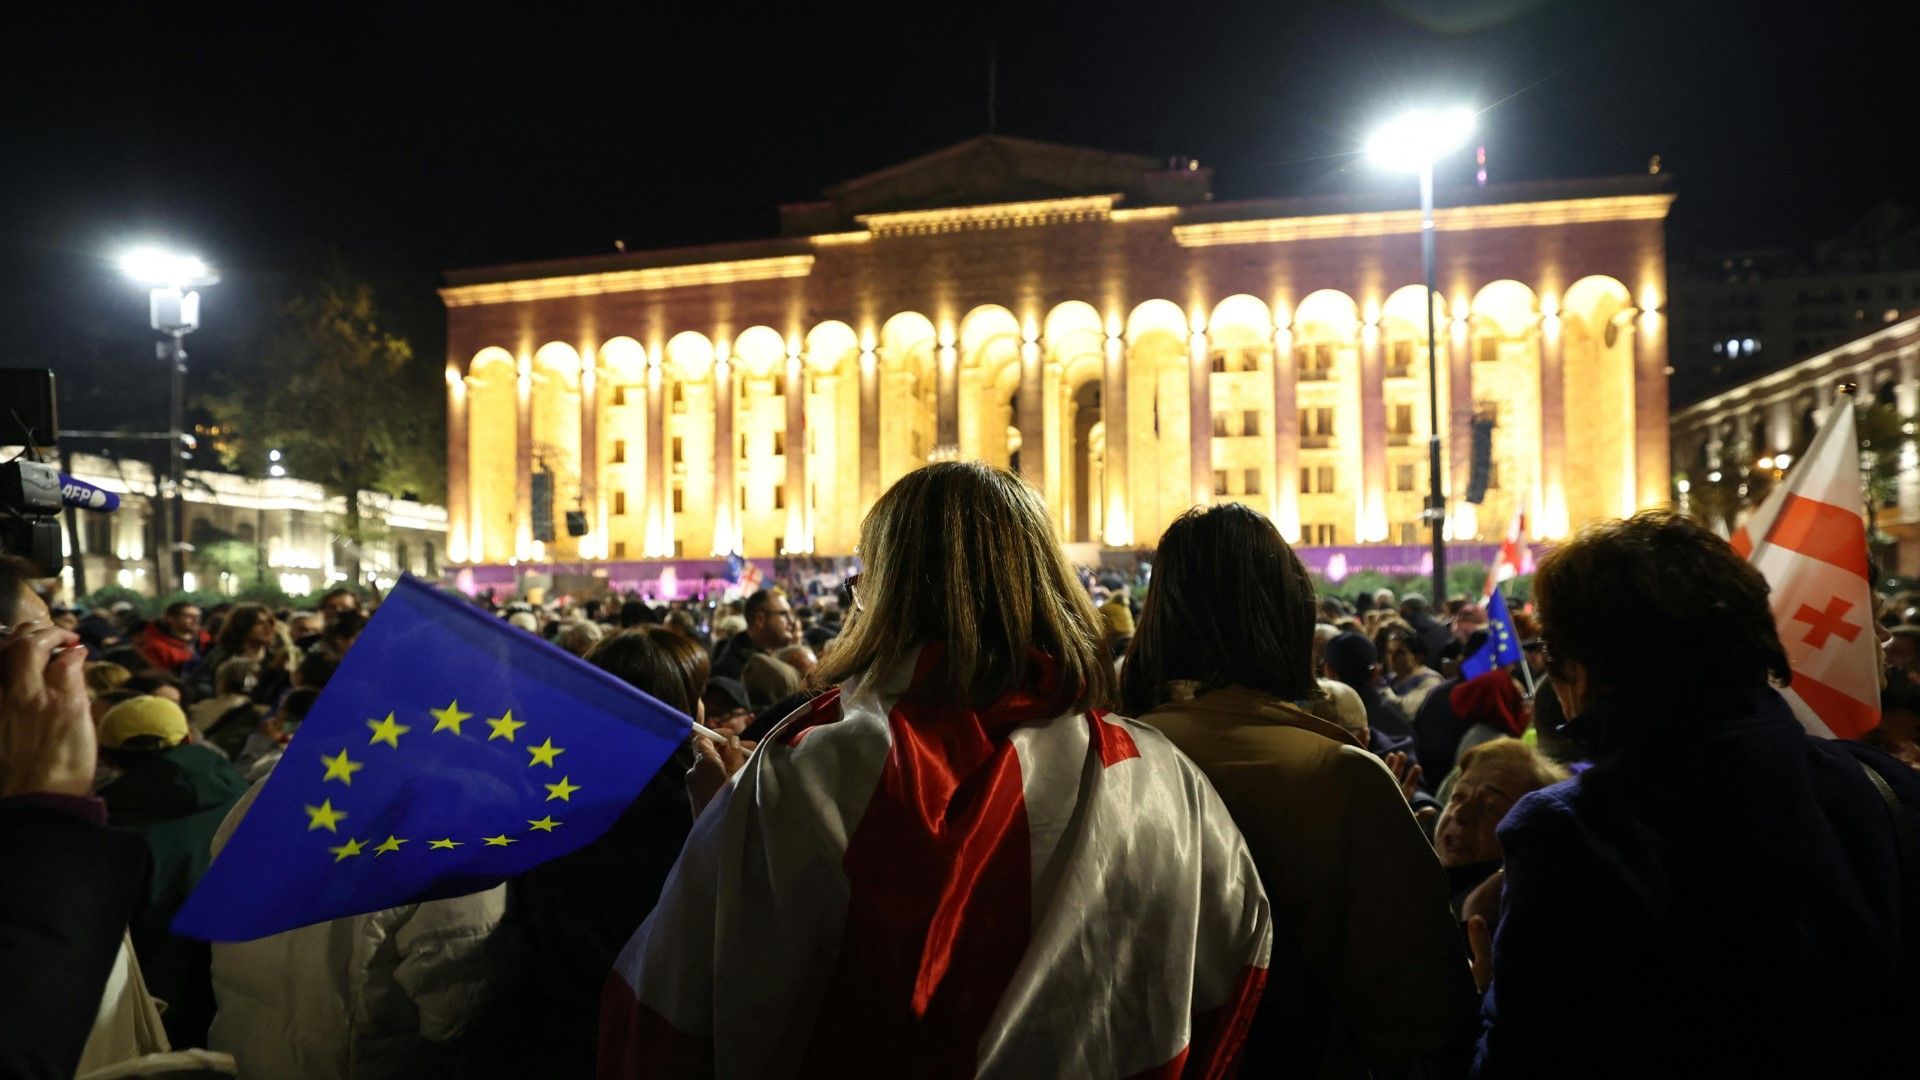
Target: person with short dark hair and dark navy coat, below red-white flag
1719,895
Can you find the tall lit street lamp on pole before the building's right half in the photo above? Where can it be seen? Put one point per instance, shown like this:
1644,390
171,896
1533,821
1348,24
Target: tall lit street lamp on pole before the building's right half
1414,143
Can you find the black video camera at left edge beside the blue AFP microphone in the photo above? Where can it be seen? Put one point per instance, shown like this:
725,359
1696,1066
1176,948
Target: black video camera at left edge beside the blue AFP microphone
30,489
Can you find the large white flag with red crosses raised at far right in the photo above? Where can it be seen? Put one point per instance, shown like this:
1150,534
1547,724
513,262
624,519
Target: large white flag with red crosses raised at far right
1810,539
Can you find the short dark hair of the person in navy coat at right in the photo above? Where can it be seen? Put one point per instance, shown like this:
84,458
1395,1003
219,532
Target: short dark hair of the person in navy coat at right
1662,608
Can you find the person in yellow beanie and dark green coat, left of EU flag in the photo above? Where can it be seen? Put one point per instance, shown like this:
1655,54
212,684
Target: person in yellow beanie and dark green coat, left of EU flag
174,795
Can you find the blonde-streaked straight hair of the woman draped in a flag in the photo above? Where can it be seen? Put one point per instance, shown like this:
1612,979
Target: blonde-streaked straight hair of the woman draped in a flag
963,554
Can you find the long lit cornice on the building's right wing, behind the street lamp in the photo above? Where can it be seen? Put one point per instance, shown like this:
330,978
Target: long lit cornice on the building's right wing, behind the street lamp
1449,220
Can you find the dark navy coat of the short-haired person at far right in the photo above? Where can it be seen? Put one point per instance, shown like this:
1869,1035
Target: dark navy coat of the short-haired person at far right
1717,896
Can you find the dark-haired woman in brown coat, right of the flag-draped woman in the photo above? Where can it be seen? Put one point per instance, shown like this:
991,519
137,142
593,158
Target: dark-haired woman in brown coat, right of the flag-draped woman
1222,664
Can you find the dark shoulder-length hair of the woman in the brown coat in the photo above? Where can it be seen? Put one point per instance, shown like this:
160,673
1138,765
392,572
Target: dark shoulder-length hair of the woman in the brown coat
1230,606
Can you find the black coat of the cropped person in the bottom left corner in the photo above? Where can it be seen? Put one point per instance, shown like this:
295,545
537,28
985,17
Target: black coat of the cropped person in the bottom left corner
66,893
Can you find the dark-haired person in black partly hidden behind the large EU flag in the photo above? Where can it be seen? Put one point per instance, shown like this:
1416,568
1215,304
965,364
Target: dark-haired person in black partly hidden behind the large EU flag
567,920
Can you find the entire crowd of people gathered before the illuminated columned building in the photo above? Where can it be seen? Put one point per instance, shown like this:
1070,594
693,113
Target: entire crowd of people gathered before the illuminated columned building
980,812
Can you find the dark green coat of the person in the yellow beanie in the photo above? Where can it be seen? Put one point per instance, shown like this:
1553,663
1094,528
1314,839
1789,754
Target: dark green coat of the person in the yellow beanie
176,800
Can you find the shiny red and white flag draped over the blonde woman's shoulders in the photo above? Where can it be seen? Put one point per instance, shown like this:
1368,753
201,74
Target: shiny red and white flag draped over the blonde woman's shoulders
907,887
